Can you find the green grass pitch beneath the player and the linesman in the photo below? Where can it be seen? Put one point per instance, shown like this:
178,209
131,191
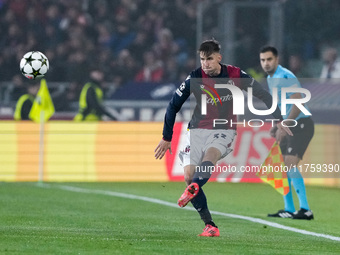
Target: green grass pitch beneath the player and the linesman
49,219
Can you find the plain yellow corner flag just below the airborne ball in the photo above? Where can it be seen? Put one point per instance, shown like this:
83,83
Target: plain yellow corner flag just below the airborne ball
42,103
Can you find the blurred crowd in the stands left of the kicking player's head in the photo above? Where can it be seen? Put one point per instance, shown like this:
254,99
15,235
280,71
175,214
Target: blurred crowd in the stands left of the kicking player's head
130,40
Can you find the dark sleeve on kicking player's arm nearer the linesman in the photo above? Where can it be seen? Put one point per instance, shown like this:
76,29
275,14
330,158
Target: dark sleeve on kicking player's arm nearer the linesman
259,92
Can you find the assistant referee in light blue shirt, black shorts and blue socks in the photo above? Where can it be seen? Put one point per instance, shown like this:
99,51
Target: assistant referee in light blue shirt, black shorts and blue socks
294,147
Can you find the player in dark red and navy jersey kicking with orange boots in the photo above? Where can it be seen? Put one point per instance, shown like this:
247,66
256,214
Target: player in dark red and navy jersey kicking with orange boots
207,144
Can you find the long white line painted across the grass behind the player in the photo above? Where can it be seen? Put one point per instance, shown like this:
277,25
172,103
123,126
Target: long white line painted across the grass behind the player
162,202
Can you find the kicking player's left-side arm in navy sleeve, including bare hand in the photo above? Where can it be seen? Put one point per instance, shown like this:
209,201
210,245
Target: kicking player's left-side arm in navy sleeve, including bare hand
178,99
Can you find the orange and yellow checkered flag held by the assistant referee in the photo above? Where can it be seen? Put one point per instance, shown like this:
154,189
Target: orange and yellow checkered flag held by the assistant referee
272,170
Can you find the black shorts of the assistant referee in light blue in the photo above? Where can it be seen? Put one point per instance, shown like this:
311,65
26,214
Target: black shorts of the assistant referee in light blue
297,144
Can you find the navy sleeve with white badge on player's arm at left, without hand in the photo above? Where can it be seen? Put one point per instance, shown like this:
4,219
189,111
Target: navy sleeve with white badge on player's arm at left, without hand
180,96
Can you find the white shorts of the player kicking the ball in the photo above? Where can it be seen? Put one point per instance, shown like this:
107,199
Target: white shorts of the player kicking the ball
199,140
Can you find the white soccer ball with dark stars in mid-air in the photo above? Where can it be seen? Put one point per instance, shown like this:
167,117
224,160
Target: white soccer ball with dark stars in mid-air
34,65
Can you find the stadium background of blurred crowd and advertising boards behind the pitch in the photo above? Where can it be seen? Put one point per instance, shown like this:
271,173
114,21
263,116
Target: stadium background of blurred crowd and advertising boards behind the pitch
125,38
